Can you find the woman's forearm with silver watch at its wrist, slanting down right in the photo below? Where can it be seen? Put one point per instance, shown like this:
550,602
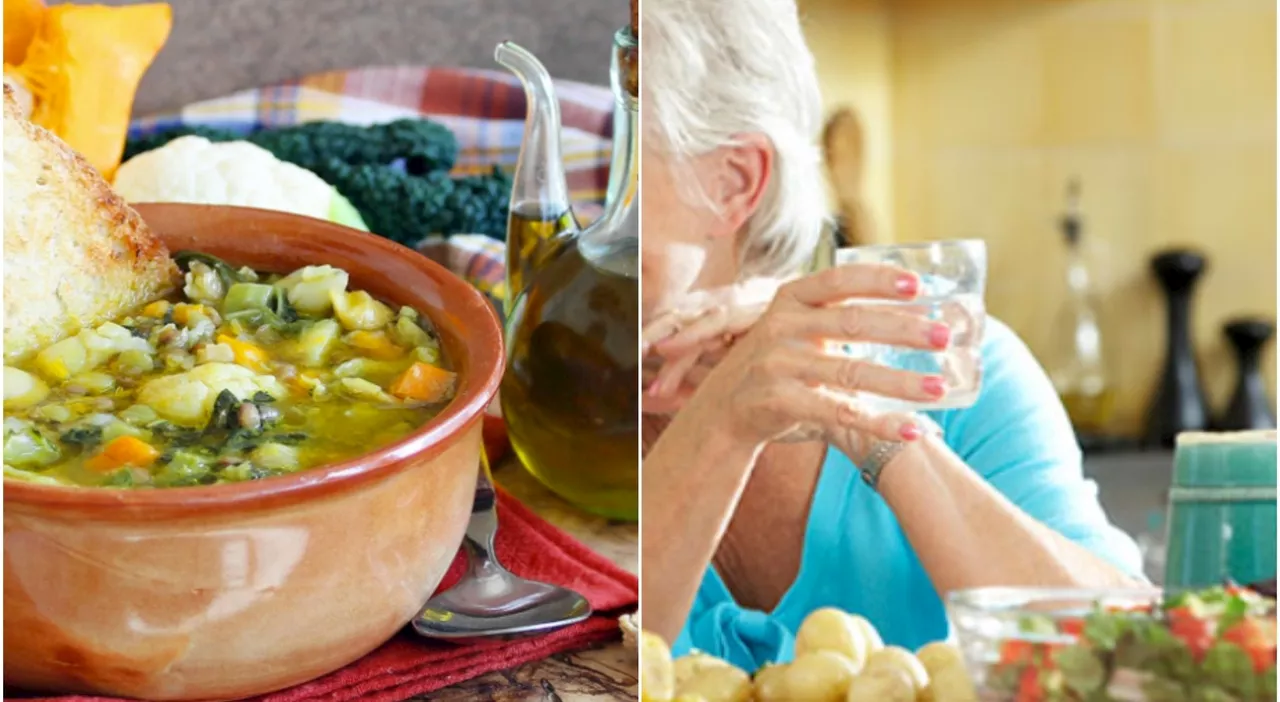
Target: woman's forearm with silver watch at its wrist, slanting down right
968,535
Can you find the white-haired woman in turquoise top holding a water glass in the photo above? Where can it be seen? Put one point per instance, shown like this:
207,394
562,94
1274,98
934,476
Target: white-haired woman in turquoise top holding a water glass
756,505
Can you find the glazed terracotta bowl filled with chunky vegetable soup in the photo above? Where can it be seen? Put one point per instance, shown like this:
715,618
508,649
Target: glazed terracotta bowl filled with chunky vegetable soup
248,484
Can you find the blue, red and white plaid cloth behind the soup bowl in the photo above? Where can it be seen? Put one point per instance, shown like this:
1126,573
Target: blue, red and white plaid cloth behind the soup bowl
484,108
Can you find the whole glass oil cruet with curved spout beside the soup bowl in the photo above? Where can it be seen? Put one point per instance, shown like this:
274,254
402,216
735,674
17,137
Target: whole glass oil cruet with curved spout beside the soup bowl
570,395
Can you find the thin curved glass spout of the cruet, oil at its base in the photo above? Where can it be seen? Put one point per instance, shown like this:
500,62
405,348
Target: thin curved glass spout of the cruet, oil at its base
541,212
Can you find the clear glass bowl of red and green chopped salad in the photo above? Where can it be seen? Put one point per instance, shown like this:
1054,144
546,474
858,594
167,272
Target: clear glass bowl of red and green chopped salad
1030,645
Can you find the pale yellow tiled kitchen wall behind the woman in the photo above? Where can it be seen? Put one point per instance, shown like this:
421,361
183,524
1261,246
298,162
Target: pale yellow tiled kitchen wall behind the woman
1167,110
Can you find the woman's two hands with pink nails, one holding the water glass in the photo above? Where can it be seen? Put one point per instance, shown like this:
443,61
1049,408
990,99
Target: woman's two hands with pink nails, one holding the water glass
779,384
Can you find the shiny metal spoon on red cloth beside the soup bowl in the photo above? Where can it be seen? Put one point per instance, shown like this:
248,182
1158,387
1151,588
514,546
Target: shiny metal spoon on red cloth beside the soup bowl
490,601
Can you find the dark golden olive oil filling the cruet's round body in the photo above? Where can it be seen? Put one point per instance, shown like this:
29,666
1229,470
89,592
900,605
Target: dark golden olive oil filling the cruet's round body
570,396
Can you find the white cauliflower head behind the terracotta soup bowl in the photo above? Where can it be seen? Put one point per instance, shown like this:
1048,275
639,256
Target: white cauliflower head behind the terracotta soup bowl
194,170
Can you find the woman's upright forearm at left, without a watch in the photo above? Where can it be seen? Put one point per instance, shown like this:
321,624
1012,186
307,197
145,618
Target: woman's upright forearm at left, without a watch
692,481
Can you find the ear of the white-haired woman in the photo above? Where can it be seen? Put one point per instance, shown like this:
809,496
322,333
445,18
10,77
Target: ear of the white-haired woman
742,174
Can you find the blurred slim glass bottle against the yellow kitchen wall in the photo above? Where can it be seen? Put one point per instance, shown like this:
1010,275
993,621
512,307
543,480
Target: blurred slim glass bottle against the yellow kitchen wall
1077,361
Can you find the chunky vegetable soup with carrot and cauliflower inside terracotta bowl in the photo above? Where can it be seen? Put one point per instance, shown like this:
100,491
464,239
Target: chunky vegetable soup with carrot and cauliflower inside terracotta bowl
239,376
